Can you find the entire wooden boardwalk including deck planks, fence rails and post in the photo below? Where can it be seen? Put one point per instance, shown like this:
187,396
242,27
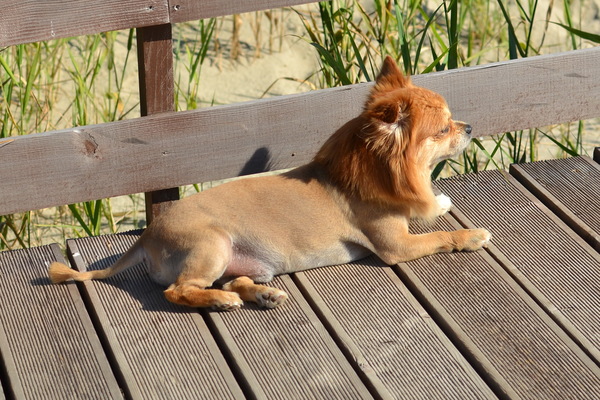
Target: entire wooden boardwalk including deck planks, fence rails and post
520,320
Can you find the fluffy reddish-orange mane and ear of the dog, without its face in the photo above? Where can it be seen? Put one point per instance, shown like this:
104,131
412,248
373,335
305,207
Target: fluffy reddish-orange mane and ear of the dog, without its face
375,156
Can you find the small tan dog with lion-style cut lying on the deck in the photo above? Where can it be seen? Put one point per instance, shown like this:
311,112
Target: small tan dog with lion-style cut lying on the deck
355,198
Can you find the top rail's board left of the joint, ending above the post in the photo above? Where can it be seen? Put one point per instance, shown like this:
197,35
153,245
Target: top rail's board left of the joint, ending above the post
25,21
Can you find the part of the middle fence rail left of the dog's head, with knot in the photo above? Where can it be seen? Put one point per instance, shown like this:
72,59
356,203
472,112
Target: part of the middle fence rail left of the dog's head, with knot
171,149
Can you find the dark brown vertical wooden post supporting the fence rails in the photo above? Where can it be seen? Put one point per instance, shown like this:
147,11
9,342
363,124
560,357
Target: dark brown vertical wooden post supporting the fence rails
157,89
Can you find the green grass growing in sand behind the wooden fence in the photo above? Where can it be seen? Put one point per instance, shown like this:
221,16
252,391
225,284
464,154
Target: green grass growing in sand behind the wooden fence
93,79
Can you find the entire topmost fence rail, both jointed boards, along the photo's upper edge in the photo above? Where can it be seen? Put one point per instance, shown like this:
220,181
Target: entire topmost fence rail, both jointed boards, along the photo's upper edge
26,21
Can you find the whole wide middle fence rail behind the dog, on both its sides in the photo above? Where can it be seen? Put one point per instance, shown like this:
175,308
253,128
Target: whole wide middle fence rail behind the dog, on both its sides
173,149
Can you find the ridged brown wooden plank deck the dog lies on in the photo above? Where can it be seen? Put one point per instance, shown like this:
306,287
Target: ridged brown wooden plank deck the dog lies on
520,320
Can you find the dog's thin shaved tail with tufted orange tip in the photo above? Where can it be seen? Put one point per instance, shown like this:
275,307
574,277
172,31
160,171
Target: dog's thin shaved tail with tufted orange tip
59,272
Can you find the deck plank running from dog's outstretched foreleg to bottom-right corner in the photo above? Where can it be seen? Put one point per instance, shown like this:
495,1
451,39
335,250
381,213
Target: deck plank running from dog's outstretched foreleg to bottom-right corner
513,343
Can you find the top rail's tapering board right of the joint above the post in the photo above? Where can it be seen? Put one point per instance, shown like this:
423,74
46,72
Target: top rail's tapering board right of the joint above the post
188,10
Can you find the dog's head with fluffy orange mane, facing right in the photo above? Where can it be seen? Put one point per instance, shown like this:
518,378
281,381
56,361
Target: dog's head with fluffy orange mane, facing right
386,154
